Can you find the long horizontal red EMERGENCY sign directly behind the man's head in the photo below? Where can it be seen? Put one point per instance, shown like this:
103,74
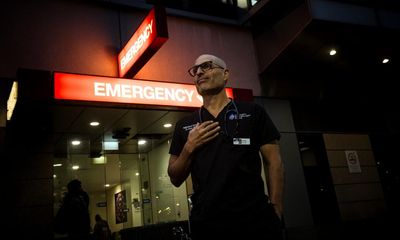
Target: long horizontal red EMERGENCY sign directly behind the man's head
119,90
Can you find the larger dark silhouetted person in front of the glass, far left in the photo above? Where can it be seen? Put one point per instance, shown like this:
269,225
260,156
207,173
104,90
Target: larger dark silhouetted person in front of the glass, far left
75,212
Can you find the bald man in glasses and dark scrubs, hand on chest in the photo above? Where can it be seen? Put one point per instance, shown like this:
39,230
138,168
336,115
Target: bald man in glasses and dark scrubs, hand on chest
219,146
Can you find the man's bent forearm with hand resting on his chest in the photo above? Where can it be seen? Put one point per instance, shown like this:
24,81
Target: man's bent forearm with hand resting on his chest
179,166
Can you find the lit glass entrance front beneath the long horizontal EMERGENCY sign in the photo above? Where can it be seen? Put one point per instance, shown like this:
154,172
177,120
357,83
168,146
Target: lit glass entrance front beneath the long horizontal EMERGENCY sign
127,184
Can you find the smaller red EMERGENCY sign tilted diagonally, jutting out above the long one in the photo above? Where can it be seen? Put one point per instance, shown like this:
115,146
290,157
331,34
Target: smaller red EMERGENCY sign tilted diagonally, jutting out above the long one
148,38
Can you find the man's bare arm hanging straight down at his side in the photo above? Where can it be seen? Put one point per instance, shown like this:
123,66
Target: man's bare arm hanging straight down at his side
274,171
